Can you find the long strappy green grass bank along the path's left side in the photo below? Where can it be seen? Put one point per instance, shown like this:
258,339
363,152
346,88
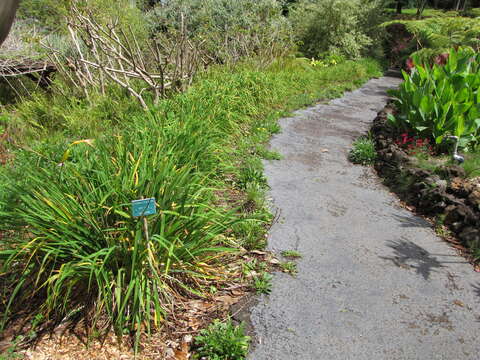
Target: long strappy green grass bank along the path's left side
71,239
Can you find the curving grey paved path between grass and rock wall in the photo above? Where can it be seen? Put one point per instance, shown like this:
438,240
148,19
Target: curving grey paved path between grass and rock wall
374,281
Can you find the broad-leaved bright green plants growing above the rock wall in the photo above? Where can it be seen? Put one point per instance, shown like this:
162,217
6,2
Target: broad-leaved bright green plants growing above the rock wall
441,100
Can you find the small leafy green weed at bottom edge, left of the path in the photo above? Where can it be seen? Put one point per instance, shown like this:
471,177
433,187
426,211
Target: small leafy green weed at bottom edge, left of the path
222,341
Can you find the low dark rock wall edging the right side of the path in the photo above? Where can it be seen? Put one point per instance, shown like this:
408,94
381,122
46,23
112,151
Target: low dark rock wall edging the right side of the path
443,193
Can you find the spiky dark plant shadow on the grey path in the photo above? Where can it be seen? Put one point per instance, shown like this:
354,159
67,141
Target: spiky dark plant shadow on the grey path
408,255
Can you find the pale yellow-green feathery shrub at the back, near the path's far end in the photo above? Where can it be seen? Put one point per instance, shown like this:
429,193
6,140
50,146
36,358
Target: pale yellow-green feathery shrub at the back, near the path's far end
344,27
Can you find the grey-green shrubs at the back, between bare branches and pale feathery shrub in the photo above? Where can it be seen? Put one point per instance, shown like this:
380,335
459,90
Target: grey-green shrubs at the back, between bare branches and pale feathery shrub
228,30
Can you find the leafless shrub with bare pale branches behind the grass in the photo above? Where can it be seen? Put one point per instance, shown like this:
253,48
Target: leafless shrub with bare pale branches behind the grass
109,53
